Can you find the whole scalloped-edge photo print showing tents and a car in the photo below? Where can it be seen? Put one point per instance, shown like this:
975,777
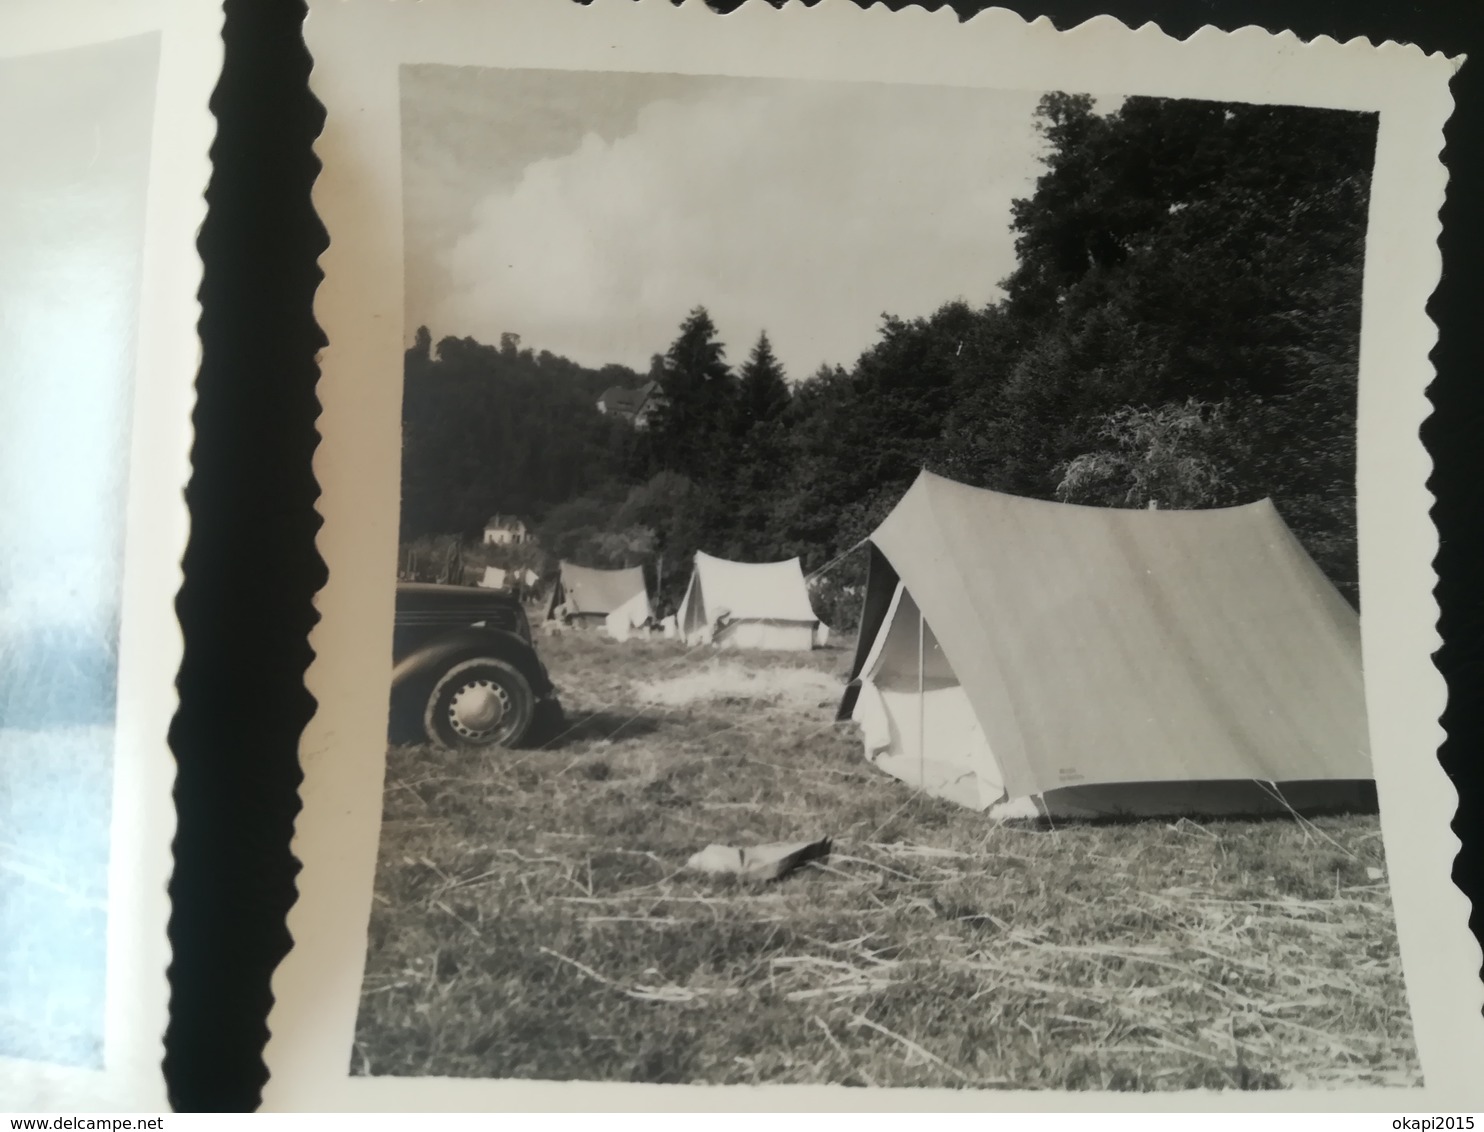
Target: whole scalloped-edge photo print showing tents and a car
870,569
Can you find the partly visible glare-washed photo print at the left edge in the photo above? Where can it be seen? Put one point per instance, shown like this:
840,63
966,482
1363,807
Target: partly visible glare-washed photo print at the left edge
99,271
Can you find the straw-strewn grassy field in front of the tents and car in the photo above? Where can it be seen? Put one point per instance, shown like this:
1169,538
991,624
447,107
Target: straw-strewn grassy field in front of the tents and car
533,919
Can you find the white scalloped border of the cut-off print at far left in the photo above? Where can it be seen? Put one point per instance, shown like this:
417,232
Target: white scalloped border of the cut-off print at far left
164,349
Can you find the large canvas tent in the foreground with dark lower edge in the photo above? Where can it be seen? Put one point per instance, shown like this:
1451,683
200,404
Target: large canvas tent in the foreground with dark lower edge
1026,658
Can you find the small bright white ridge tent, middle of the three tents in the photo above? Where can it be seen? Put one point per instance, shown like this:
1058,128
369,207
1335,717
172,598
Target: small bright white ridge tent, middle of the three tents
747,606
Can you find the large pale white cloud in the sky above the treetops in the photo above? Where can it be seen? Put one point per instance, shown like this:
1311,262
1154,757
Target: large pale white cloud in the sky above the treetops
807,210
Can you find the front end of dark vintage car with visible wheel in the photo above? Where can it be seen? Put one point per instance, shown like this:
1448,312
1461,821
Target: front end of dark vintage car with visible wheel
465,670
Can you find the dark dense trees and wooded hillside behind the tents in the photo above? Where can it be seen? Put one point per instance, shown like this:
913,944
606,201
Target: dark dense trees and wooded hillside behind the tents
1182,330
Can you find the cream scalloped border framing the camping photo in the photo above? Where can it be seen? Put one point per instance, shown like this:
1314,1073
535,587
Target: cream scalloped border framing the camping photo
358,48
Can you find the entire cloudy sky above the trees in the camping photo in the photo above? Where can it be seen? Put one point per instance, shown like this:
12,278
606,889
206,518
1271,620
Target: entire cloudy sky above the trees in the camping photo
590,213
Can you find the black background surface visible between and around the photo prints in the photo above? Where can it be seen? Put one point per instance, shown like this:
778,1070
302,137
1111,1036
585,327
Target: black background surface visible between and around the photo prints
252,570
